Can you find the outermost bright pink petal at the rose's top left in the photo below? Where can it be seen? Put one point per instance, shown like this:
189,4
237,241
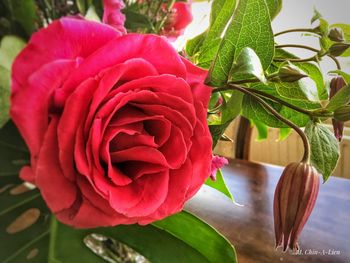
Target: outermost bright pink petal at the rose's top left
67,38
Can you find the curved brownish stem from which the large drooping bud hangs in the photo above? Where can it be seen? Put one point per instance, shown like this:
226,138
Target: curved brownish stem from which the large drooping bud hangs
306,156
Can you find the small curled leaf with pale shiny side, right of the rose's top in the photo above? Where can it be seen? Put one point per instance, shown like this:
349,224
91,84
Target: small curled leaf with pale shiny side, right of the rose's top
247,66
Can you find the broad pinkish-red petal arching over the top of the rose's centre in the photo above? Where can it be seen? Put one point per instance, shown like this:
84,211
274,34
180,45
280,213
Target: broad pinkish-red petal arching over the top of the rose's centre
151,48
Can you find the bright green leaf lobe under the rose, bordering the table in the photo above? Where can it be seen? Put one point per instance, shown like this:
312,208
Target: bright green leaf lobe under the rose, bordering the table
193,231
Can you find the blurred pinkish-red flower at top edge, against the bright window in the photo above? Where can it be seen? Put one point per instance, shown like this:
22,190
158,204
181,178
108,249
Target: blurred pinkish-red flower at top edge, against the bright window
178,20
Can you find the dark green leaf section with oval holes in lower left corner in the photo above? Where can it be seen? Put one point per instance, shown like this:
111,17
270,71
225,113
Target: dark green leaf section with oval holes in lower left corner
17,199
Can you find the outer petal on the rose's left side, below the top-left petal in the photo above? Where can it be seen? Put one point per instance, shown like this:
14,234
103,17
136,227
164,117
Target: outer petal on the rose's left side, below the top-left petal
31,117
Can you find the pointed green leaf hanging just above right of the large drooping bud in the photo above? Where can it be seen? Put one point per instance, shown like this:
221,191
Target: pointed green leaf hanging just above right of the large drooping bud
324,148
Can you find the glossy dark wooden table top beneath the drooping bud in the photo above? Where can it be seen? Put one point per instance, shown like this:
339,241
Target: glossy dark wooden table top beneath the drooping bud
325,238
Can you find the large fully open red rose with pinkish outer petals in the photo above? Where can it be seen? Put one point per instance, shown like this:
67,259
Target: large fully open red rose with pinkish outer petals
116,125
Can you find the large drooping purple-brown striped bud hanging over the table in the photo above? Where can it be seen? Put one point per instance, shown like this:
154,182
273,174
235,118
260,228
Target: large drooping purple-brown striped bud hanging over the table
294,200
